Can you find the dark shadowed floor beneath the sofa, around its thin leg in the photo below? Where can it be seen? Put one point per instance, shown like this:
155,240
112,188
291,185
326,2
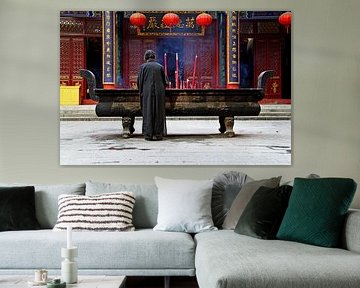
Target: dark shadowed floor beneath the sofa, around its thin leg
158,282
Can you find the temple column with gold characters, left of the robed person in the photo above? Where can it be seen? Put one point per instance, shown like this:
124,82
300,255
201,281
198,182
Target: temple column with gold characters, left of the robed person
108,37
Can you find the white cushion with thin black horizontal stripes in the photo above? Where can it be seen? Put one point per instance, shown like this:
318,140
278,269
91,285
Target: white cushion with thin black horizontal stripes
105,212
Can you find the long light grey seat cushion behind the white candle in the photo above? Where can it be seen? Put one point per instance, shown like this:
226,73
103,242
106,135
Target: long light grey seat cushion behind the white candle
140,250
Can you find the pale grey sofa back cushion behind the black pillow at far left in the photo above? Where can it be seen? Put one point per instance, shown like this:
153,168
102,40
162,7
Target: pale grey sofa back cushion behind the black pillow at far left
46,200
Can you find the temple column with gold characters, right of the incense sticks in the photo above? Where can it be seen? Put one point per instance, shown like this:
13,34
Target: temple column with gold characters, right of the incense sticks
232,50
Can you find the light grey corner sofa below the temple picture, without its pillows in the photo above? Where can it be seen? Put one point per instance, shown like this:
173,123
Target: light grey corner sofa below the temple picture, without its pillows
218,259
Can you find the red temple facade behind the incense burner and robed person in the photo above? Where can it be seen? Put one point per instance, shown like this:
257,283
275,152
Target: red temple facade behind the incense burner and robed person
230,52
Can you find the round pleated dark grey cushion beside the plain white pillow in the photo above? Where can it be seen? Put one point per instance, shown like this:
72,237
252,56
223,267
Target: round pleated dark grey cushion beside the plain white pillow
226,187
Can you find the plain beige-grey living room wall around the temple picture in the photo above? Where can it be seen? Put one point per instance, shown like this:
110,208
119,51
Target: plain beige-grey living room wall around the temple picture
325,92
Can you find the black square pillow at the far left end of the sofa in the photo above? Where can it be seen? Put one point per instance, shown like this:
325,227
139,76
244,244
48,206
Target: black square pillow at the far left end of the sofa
17,208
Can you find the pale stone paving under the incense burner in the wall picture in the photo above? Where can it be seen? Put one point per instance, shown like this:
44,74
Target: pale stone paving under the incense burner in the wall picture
189,142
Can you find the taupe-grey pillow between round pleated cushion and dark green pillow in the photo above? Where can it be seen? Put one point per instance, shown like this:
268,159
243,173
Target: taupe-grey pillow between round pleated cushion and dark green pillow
243,198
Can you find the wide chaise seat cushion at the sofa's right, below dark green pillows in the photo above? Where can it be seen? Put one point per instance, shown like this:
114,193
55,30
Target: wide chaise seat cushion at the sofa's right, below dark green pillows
225,259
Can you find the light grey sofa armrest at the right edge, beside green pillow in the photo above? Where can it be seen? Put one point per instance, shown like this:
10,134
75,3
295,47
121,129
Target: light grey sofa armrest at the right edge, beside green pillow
351,234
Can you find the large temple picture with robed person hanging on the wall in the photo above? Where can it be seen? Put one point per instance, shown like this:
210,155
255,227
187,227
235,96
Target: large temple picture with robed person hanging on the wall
223,90
